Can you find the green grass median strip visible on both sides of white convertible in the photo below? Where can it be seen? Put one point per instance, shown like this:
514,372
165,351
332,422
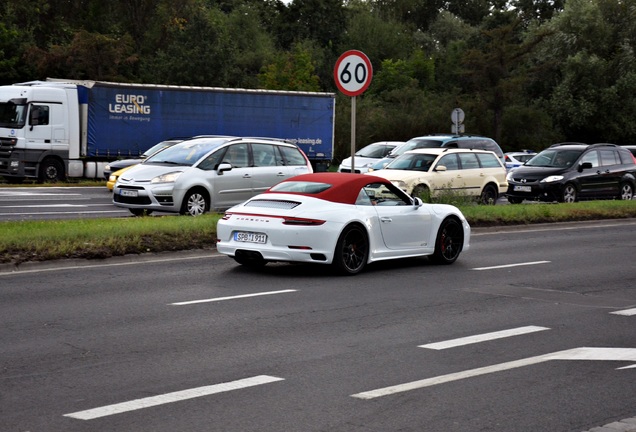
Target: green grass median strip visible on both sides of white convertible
102,238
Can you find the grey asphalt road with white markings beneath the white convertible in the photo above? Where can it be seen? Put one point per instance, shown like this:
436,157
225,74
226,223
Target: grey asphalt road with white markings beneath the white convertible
531,330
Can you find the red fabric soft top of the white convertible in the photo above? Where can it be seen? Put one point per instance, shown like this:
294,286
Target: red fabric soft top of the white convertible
345,187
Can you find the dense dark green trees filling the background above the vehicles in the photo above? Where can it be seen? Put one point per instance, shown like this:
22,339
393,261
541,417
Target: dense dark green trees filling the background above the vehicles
526,72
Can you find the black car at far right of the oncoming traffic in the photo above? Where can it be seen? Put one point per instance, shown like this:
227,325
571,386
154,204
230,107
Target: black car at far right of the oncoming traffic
571,171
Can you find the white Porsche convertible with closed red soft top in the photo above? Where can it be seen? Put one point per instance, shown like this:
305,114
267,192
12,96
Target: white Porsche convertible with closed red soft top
348,220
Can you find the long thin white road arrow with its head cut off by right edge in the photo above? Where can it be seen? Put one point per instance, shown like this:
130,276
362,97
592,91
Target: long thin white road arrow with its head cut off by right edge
583,353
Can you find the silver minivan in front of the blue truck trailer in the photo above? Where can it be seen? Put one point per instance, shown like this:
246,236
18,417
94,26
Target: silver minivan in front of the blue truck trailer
211,173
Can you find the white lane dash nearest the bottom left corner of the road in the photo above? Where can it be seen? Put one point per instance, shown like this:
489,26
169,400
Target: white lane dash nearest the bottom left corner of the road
171,397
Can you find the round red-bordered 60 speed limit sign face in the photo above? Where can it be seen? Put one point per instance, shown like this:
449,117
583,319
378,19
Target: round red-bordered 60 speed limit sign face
353,73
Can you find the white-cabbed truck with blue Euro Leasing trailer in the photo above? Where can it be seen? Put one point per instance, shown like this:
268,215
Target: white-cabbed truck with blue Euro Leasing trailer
53,129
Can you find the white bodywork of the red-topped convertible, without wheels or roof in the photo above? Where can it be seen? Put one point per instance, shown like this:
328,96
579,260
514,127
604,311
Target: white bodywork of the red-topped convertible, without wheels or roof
409,231
